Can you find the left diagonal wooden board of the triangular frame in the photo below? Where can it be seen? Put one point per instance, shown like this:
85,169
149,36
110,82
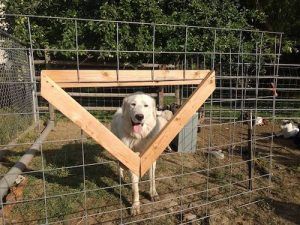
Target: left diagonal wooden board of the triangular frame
87,122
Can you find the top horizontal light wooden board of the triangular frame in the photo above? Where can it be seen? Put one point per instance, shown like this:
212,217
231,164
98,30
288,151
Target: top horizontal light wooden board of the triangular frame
122,78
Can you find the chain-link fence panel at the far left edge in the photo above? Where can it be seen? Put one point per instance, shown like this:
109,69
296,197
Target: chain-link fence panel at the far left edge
16,102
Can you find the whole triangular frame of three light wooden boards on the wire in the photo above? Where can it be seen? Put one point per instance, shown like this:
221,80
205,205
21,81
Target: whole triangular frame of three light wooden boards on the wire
52,82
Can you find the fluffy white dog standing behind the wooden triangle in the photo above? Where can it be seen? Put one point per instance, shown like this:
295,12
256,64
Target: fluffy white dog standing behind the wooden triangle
136,124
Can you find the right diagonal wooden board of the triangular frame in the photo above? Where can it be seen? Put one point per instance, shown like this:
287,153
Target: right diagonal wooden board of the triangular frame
179,120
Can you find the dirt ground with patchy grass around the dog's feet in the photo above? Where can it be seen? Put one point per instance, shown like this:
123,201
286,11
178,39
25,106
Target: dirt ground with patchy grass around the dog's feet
191,186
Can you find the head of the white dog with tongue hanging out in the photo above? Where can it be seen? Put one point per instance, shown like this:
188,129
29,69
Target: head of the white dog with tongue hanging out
139,112
